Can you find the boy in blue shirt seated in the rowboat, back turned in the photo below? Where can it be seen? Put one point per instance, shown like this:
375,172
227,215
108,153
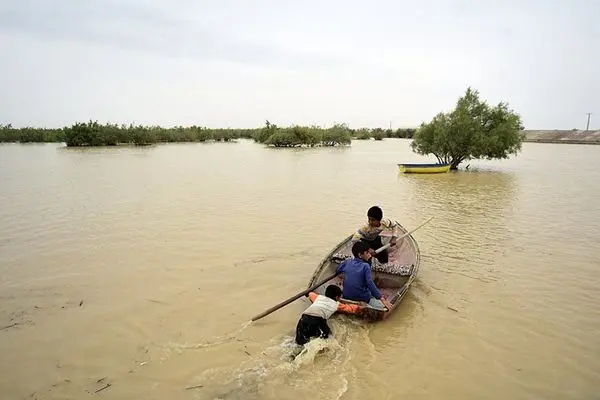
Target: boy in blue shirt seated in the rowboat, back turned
358,281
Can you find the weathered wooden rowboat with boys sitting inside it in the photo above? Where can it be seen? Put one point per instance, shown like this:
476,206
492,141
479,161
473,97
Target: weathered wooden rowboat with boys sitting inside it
392,278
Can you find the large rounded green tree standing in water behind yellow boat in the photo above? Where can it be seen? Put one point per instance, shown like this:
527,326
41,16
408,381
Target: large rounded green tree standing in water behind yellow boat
473,130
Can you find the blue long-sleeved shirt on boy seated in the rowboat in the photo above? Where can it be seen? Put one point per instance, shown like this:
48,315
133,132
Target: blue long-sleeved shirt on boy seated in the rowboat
358,283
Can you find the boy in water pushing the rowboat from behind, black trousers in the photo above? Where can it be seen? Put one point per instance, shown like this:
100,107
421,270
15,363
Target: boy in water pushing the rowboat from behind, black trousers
313,322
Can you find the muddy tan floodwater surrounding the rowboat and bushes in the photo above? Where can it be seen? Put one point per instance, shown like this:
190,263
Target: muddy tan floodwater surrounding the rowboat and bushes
140,268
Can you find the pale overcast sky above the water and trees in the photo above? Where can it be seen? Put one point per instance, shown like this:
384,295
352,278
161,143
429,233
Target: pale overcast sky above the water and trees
236,63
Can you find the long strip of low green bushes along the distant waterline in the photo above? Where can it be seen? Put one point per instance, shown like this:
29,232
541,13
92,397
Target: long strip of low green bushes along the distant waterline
94,134
